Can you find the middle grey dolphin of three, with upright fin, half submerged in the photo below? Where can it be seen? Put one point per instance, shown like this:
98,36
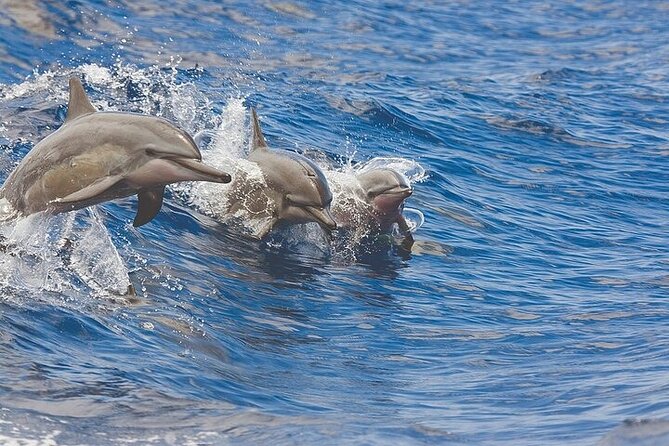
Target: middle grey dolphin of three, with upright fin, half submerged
296,187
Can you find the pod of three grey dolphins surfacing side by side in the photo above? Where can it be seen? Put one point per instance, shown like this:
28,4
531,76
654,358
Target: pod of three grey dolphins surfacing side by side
96,157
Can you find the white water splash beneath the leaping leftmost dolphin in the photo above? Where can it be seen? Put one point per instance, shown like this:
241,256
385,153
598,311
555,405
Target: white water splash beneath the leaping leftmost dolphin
65,252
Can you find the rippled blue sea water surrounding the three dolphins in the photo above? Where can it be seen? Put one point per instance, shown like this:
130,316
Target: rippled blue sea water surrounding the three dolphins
530,310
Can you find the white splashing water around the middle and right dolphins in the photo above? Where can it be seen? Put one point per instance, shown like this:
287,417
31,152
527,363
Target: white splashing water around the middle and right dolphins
227,152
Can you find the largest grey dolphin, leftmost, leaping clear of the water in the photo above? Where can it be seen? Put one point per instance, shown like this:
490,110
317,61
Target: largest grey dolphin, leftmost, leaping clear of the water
100,156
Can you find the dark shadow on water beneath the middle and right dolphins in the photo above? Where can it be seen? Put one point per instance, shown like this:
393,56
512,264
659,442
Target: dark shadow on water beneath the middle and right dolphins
295,254
